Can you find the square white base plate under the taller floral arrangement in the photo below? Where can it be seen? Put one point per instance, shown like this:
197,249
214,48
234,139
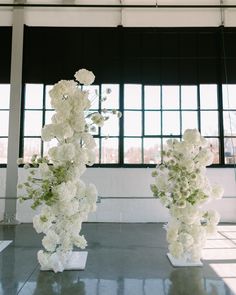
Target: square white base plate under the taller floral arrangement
77,261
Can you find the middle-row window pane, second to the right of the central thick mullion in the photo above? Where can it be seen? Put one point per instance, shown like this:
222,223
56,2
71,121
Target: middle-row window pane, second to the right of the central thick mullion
152,123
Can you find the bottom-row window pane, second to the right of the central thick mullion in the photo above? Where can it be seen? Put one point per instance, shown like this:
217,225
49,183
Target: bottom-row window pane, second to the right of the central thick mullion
152,150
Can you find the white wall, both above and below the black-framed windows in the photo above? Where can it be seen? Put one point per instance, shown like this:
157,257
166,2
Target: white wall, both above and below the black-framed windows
128,182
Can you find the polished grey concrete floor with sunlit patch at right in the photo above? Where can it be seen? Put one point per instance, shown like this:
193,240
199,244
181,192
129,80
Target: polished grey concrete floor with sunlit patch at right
123,259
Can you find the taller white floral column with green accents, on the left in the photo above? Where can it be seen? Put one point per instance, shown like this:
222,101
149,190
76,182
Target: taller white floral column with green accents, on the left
65,200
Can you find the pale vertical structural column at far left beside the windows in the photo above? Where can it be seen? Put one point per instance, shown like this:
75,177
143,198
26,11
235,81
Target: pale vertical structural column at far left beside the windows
14,115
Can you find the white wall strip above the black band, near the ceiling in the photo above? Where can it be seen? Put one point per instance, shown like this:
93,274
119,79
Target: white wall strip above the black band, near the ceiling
130,17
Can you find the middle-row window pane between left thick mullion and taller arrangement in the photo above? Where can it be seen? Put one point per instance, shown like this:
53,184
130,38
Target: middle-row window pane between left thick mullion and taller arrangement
33,123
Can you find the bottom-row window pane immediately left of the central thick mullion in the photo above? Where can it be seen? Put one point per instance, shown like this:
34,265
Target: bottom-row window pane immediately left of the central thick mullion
109,150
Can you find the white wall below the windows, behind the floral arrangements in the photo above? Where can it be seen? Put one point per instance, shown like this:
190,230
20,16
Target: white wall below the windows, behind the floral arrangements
125,184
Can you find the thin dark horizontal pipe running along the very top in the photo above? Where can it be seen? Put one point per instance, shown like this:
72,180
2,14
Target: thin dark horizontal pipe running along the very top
115,5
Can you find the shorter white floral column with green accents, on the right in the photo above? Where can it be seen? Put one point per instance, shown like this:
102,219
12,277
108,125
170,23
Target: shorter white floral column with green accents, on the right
182,186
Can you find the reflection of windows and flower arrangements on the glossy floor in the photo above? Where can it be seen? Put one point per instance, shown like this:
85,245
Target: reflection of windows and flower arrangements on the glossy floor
181,282
